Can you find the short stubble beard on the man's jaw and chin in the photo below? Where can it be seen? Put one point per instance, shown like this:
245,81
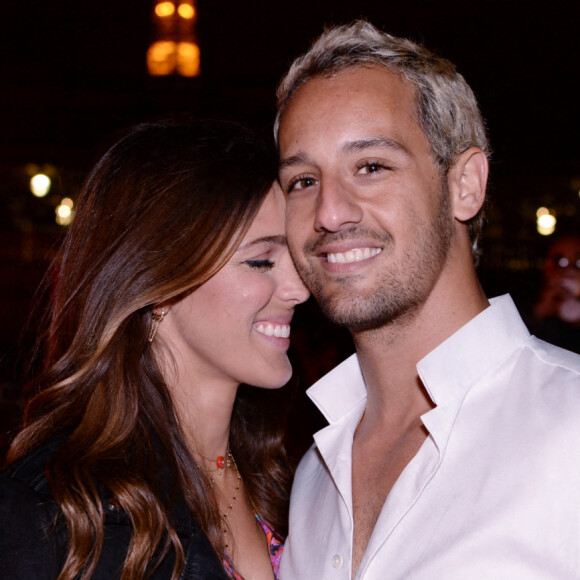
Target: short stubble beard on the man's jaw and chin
400,290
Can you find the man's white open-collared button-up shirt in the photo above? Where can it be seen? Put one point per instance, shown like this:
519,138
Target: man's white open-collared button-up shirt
492,494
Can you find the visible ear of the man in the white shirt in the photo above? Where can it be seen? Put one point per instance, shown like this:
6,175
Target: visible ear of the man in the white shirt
467,180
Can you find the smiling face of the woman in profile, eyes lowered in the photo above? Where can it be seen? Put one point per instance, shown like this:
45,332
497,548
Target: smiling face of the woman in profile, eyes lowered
235,328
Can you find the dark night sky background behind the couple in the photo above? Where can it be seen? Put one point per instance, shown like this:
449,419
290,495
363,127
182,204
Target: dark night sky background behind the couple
73,72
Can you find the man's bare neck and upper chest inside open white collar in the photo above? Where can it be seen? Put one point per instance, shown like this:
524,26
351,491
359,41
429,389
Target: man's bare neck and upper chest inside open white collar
391,432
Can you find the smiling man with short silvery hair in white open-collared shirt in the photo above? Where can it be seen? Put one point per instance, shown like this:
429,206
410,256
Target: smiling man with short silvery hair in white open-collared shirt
453,445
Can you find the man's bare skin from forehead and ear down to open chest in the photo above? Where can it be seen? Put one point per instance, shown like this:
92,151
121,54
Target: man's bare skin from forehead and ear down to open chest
380,237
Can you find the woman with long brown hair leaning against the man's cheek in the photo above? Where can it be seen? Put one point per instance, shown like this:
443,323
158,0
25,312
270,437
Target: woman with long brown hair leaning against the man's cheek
140,457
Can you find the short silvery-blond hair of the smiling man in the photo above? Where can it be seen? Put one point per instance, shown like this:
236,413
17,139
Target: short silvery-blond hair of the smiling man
446,108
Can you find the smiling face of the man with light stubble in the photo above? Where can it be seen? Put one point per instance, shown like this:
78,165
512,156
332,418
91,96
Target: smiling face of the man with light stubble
368,215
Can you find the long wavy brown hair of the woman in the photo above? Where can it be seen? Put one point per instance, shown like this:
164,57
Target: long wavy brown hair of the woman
160,213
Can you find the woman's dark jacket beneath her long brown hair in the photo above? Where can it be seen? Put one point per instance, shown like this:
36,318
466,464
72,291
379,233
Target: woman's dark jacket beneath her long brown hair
32,547
